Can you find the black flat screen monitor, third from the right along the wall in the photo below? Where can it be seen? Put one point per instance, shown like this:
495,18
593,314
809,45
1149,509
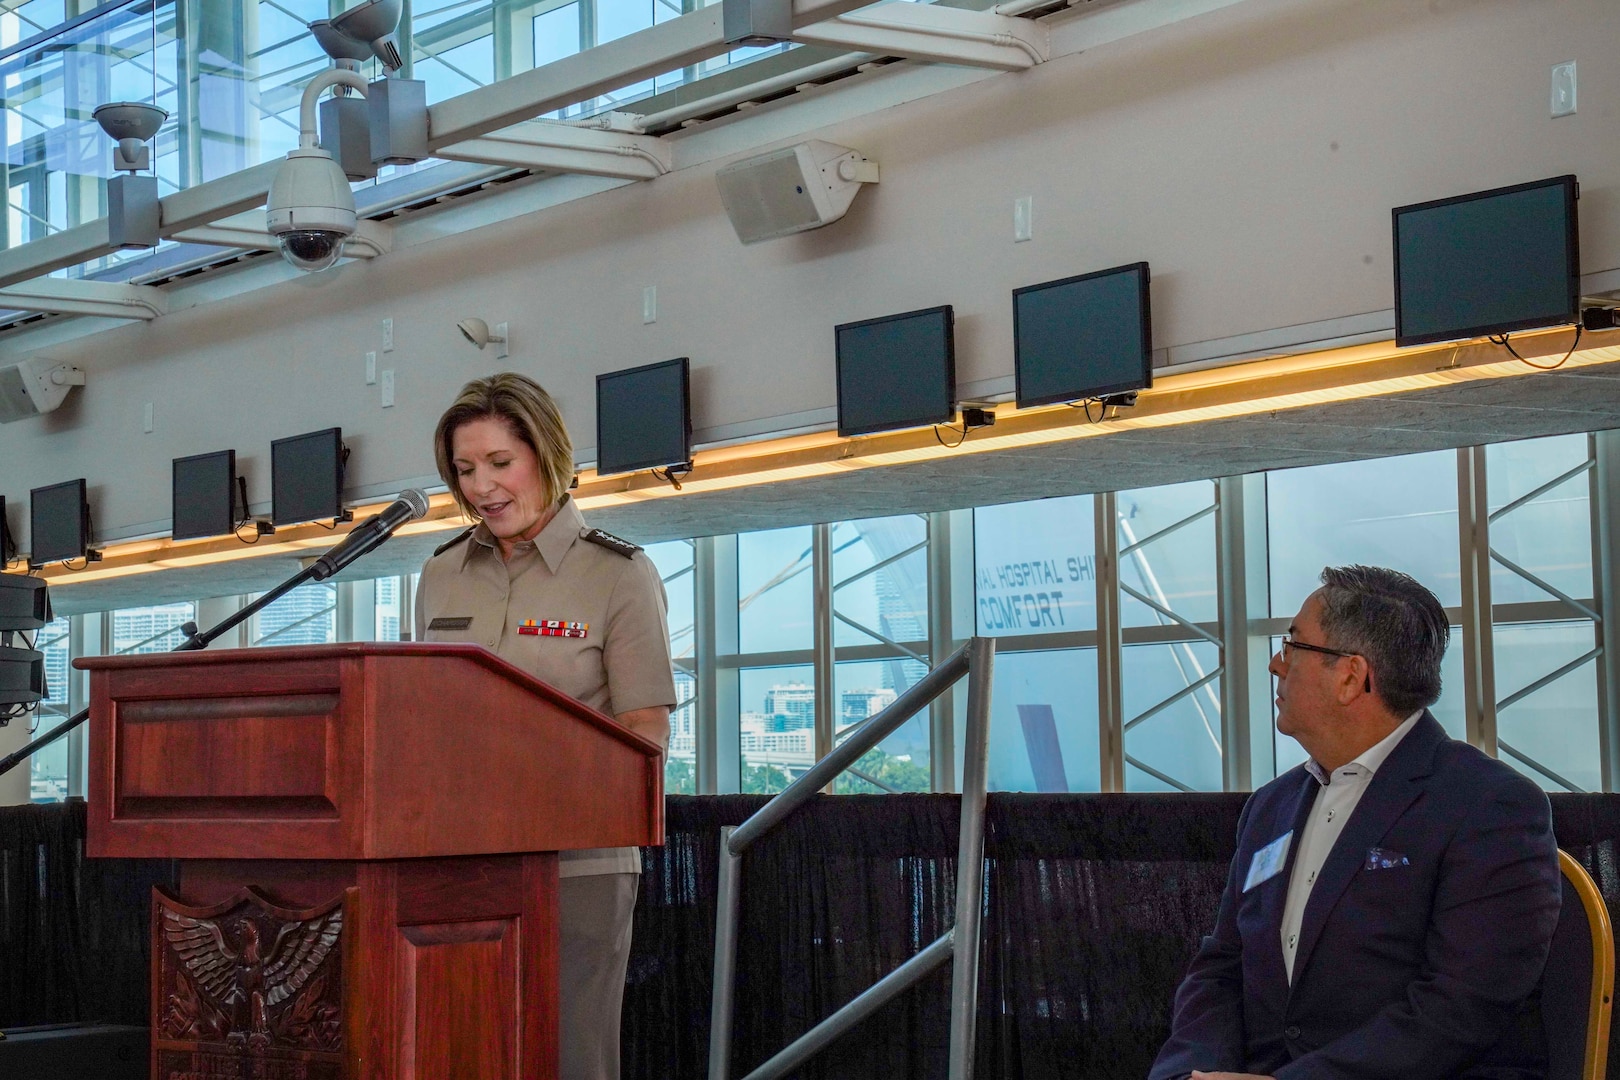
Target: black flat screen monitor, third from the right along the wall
898,372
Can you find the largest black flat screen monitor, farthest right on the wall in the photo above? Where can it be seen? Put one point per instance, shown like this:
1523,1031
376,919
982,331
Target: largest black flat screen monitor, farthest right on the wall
1488,263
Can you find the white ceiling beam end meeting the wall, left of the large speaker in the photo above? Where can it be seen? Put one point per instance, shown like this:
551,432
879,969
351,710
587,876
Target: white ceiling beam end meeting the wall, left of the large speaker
565,148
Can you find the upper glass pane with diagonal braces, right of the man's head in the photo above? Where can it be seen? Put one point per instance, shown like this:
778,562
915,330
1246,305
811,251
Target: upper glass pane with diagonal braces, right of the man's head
1553,535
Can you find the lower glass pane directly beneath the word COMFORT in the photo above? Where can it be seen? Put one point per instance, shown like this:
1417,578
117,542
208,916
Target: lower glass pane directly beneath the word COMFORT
1044,723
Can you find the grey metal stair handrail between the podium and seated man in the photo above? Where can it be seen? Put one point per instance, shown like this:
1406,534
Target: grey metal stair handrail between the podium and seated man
958,945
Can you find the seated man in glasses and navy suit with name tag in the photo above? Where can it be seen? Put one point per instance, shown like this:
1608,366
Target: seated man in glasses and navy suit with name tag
1391,903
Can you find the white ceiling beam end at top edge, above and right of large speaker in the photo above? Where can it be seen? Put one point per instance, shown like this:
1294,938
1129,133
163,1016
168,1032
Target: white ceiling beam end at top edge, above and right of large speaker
926,32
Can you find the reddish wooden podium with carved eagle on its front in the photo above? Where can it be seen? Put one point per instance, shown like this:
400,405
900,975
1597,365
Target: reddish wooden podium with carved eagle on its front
367,841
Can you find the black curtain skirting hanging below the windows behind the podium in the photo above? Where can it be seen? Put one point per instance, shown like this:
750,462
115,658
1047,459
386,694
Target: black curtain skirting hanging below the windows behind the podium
1094,906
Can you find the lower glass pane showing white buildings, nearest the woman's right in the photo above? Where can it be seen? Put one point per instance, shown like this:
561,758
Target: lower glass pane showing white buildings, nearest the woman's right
777,726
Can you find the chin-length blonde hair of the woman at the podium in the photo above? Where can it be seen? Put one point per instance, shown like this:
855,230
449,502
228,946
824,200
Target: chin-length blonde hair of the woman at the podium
532,415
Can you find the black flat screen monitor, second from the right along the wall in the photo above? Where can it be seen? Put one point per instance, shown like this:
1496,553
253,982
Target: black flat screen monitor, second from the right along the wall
1083,338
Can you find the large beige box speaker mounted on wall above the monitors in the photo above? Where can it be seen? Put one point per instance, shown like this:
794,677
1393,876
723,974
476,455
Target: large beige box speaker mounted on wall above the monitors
791,190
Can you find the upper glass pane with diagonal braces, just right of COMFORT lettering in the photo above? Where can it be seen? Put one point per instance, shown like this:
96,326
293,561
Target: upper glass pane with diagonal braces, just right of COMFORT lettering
1177,571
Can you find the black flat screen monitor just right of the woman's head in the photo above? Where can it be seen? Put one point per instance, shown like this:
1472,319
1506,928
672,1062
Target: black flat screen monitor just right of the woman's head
644,417
